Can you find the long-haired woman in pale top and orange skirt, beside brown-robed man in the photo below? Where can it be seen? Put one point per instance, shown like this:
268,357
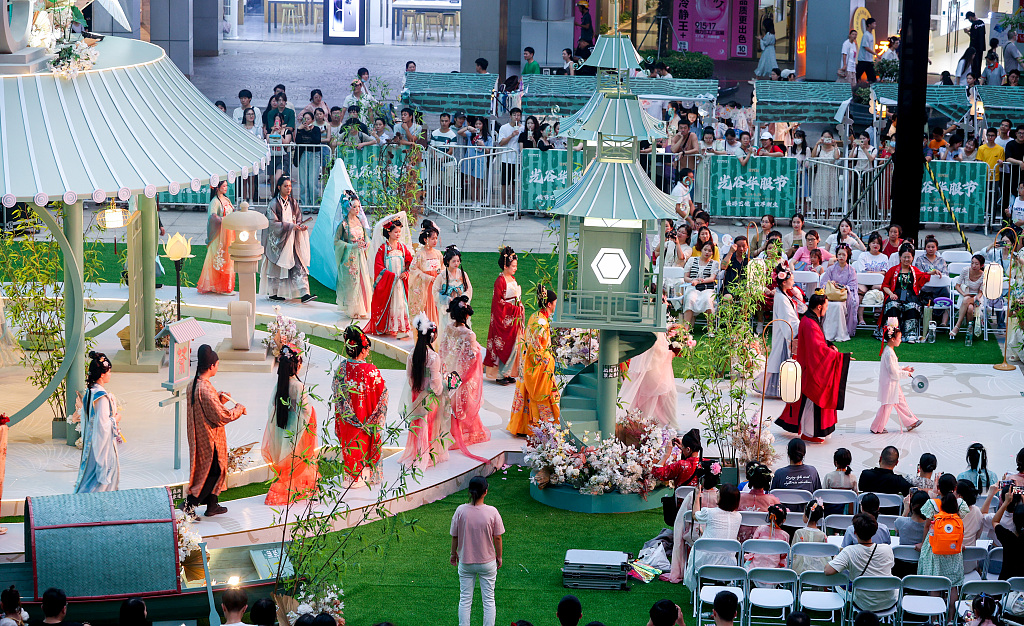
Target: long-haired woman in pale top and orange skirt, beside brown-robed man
290,439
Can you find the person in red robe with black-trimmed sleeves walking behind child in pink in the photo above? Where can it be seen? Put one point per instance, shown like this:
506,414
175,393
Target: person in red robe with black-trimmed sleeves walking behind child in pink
825,371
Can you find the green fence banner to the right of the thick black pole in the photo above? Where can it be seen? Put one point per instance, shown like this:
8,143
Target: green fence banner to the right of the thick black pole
964,187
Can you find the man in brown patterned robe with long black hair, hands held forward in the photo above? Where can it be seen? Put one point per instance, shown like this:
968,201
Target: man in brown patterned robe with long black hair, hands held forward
207,442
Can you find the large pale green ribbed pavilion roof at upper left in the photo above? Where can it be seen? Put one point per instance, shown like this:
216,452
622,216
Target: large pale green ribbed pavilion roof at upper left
134,124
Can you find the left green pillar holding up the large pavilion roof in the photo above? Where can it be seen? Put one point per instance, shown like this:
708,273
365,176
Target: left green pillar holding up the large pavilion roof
74,310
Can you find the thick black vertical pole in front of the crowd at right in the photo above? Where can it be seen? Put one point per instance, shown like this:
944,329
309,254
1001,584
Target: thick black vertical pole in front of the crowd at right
909,160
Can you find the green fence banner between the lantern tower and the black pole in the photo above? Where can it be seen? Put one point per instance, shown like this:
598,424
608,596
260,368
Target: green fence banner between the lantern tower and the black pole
764,186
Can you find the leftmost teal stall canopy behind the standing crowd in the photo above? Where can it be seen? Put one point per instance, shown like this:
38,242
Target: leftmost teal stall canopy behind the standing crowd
438,93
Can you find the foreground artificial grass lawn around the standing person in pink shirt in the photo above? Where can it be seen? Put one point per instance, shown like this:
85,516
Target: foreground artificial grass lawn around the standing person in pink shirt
412,582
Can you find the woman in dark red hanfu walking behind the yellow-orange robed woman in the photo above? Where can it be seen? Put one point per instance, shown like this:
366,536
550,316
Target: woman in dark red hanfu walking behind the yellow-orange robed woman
502,361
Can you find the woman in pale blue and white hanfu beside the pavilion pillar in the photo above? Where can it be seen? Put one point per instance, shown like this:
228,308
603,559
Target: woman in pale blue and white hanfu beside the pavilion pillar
101,434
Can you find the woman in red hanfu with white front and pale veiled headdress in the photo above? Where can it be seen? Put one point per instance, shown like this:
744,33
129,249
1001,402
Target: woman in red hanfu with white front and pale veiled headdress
390,307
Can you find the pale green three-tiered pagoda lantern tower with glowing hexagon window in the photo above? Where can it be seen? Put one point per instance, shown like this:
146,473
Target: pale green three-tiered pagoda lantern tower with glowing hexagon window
606,279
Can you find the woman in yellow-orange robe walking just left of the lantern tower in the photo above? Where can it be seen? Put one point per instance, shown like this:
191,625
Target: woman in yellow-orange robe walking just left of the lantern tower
537,394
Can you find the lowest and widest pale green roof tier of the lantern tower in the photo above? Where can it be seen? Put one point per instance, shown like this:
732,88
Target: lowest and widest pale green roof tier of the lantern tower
615,190
